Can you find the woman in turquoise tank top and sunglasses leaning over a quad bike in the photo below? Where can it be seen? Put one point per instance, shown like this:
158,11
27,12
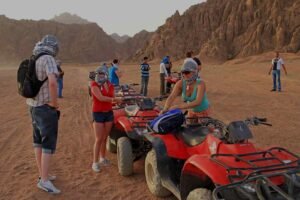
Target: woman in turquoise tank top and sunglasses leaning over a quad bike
193,92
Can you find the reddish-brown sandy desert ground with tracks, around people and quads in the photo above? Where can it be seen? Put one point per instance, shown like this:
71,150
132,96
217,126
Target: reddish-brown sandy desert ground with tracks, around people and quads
236,90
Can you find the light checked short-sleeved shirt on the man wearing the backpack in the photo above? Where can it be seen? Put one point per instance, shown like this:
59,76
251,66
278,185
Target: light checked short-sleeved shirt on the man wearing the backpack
45,65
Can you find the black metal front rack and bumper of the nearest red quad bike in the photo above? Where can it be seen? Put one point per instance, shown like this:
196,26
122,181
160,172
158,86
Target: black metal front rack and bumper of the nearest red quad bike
257,185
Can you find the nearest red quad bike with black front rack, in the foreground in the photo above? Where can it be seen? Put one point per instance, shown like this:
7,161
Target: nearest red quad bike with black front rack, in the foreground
212,160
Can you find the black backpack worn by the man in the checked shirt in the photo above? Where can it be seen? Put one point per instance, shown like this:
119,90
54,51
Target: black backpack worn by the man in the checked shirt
28,83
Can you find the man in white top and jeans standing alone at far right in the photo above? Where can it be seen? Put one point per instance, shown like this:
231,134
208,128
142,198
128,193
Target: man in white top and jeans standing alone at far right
277,62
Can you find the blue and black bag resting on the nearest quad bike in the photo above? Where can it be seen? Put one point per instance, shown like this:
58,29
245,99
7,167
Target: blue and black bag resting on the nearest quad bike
168,122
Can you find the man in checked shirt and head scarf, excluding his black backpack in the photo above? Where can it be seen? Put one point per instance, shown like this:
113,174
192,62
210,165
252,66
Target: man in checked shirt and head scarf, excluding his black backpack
44,110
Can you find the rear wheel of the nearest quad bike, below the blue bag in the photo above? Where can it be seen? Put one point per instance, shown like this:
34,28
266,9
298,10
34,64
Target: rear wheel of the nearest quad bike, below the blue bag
153,178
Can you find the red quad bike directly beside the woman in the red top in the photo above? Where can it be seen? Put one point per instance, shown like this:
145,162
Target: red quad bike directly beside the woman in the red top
127,135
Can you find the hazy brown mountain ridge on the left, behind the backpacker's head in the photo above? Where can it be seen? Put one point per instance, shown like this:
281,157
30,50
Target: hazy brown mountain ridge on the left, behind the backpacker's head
78,42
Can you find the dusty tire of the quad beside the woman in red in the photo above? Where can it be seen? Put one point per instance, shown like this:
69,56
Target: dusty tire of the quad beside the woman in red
125,156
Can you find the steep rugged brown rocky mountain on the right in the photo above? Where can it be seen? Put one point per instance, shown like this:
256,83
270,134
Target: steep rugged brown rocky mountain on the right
222,30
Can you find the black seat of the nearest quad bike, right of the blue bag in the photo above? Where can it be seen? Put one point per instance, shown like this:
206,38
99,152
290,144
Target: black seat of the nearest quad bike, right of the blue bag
194,135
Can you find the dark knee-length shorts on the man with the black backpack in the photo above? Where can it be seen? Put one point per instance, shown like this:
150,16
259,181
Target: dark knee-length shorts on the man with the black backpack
45,127
